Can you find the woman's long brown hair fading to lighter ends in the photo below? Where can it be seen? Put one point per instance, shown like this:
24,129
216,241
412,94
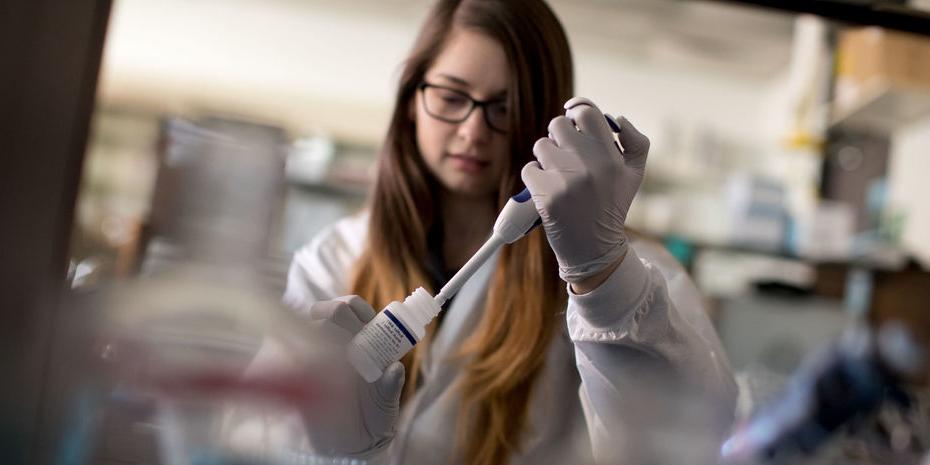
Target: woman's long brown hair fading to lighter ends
508,348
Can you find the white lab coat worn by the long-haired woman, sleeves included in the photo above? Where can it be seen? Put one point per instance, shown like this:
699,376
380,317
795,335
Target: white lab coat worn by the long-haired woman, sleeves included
636,375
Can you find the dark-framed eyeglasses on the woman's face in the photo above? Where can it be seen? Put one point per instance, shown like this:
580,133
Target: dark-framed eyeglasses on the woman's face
454,106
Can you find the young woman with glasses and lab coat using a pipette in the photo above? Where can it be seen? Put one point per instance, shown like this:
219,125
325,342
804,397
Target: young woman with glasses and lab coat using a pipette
519,369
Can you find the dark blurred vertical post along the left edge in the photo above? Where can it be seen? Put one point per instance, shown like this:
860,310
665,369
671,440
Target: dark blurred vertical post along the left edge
51,55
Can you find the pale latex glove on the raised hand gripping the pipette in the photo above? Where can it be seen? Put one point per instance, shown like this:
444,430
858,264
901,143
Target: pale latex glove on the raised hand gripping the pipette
583,185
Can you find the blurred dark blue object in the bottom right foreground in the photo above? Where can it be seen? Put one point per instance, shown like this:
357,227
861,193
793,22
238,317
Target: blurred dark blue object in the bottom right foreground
839,390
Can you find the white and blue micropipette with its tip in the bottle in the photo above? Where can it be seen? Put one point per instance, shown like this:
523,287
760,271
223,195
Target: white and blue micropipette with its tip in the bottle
516,219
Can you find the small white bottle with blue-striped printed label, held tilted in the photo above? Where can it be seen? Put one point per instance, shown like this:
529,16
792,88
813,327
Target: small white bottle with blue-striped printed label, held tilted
391,334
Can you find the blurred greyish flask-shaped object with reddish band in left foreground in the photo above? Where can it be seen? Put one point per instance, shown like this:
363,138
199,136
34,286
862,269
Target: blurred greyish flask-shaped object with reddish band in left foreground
164,355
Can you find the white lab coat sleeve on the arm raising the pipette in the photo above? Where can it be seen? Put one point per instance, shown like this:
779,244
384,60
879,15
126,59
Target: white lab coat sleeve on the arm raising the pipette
655,383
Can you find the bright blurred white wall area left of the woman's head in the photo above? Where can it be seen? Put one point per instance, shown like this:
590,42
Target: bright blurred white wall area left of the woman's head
308,69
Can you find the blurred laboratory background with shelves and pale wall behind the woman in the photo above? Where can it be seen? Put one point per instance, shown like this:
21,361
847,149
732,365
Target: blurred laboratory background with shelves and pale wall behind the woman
788,171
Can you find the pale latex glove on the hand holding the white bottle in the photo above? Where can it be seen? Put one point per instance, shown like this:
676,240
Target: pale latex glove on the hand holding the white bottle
363,422
